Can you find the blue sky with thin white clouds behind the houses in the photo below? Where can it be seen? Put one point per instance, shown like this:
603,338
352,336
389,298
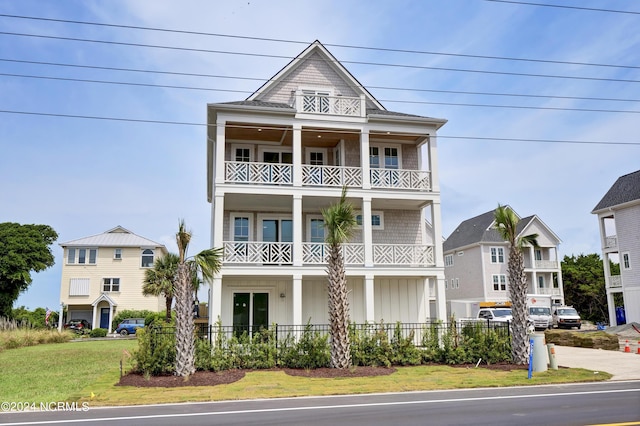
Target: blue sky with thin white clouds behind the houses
85,176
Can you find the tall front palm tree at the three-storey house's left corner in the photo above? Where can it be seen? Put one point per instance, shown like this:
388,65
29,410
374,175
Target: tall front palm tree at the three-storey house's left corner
207,263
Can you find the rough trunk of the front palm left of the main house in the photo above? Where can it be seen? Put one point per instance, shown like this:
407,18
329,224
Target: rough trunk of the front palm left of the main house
185,344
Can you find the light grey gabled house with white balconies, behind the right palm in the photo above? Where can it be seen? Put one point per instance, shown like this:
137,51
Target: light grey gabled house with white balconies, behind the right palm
476,258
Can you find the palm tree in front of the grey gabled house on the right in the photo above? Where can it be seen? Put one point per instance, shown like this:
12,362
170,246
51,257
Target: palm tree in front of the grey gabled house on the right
506,222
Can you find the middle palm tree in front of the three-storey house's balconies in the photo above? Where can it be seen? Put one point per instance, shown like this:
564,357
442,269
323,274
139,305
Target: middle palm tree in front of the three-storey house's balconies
339,220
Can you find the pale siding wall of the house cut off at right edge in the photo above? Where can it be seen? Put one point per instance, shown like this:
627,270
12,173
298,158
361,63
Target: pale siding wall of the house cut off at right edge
628,227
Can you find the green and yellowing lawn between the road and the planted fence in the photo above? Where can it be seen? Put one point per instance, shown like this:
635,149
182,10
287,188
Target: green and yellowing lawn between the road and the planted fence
74,371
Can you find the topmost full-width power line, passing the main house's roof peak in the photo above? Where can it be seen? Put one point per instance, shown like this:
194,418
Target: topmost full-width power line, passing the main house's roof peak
346,46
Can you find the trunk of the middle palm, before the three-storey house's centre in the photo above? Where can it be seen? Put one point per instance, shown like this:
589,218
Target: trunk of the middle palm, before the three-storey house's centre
338,311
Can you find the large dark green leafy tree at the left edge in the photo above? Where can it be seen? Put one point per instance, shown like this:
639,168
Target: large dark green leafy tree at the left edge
23,249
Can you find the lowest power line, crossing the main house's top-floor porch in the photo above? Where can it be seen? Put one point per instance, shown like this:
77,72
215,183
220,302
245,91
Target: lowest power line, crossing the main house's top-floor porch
346,131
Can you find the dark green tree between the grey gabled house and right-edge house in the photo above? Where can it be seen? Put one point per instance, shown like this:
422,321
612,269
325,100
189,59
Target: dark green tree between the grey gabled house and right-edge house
584,286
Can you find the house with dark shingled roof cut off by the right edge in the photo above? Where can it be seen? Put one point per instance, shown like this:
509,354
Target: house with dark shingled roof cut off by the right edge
619,219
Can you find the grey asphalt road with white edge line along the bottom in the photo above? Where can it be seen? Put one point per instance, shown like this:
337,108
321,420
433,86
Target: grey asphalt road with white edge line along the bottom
572,404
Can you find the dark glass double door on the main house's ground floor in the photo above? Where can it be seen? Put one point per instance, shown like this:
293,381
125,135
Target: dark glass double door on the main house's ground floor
250,312
